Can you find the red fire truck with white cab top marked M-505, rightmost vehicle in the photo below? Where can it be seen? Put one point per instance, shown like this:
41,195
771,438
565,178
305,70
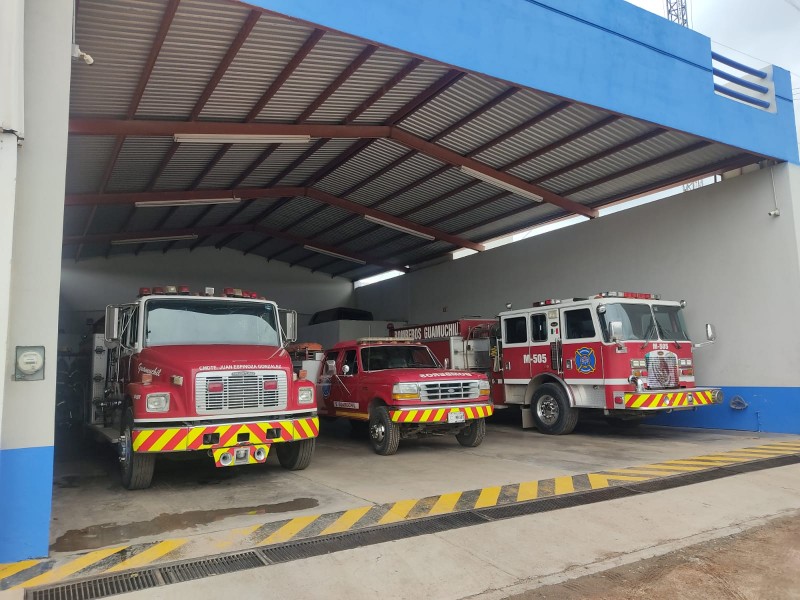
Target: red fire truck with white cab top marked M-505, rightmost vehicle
624,354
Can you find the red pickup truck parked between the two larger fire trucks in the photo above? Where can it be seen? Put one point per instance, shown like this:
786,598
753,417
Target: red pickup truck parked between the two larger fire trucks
401,391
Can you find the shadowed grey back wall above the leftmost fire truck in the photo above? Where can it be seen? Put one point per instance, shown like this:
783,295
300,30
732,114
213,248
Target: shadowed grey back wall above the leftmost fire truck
89,285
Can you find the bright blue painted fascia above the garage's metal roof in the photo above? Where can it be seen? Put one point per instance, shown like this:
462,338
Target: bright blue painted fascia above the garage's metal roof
605,53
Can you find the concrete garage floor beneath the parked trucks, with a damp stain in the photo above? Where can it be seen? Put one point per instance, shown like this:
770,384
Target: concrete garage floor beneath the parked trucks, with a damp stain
192,497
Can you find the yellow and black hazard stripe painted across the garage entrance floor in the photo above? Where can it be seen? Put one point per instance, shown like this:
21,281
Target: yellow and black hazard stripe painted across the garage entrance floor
118,558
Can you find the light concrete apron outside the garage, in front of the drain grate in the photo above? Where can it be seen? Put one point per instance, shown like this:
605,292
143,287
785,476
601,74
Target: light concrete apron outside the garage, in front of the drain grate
511,557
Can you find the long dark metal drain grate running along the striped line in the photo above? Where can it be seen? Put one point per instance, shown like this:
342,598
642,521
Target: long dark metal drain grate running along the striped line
104,586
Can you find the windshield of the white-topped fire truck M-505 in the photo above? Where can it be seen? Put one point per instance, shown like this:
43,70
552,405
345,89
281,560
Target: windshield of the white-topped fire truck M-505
638,322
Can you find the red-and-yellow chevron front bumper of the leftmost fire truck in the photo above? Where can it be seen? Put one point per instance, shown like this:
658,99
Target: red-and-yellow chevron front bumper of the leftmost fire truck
215,437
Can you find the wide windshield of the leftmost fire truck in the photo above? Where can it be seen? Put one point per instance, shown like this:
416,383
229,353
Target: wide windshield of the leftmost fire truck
195,322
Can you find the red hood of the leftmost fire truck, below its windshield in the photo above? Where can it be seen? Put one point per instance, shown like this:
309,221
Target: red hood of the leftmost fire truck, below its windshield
215,357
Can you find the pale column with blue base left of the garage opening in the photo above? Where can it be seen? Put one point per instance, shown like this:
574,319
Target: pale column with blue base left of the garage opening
30,278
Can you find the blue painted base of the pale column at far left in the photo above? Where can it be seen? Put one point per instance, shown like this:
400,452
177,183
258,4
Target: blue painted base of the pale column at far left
26,489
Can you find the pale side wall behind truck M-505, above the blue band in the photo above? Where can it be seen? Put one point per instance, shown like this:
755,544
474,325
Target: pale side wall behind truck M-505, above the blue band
716,247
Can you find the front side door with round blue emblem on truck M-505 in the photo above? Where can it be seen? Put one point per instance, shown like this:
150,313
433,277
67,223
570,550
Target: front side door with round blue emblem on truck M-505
581,347
